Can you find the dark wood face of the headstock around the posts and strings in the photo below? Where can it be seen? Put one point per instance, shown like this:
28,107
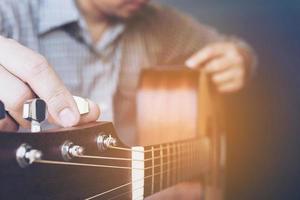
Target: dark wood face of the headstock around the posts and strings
43,181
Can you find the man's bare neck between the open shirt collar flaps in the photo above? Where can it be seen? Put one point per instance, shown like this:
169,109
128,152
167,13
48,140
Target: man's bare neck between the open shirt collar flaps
96,21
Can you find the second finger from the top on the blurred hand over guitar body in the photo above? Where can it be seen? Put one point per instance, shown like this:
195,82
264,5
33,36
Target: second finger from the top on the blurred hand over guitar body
218,65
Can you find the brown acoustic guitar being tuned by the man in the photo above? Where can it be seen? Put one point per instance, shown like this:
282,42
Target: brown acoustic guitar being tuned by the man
178,136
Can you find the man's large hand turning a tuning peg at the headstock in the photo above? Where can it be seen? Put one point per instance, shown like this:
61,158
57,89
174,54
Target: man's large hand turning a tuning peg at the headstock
24,75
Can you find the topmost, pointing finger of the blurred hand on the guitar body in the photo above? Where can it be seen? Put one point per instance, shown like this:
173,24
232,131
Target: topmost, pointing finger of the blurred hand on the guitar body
202,57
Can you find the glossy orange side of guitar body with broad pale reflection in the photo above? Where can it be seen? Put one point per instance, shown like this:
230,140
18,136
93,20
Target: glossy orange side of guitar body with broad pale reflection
167,106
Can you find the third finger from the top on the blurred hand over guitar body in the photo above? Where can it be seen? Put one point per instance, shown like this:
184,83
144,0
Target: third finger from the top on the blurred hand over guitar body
232,74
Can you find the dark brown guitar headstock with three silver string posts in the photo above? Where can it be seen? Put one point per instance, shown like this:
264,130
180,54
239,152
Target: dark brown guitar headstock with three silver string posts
52,164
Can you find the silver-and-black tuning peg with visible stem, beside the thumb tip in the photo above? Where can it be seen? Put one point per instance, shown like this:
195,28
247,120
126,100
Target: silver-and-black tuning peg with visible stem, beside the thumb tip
34,110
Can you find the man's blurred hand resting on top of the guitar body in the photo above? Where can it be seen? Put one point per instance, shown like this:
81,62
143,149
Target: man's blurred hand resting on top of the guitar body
226,63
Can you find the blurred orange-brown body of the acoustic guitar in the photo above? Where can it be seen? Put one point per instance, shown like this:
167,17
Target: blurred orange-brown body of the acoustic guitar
175,104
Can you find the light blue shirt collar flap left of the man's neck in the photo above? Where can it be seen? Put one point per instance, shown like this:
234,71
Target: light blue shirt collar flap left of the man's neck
56,13
